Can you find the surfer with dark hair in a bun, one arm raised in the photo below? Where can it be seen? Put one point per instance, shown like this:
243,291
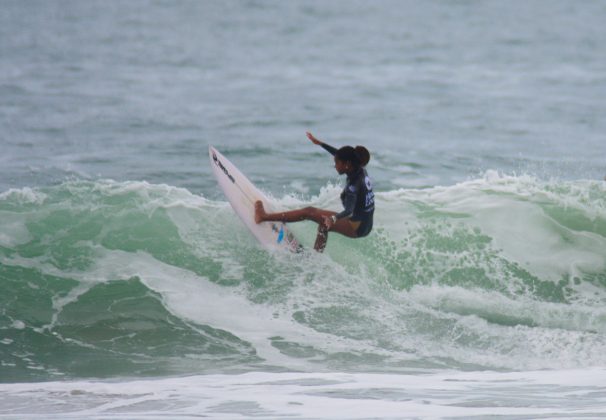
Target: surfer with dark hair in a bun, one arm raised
355,221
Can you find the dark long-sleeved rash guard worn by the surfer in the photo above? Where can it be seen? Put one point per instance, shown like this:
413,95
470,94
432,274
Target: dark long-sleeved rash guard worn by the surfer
357,197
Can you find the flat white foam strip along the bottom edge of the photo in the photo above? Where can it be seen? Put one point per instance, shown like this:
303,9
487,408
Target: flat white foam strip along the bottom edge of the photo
530,394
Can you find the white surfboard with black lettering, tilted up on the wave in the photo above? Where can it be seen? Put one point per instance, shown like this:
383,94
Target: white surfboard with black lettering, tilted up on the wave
242,195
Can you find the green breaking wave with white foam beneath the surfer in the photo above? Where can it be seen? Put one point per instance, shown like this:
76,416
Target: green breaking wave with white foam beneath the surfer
104,278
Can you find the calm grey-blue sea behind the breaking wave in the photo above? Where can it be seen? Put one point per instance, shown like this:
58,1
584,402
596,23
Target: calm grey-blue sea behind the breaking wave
439,91
